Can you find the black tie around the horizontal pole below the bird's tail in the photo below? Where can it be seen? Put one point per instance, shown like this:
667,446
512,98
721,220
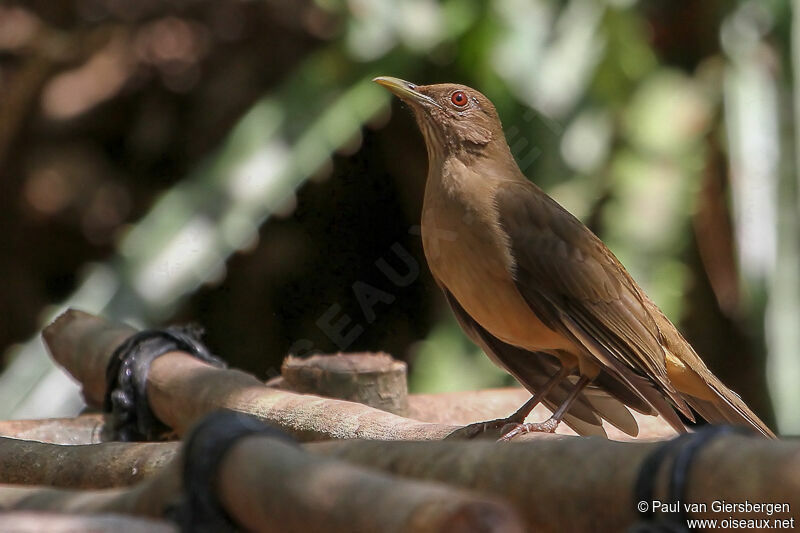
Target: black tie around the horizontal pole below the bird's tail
684,449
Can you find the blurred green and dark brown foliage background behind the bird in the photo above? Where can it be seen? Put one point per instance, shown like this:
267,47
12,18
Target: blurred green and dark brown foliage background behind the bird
229,162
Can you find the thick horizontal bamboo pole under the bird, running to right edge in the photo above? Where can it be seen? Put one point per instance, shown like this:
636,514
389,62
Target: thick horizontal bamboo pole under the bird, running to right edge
568,484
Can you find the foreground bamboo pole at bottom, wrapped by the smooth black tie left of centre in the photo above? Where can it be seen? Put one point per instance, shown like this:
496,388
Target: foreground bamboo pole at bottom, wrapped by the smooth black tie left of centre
268,485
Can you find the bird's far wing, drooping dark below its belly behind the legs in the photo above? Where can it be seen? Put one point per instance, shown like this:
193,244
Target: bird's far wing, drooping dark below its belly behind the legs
533,370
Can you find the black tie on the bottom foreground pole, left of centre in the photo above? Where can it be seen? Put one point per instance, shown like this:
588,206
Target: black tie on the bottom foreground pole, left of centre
199,509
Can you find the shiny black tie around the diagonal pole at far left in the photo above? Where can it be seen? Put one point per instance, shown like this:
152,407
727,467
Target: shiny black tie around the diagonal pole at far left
126,378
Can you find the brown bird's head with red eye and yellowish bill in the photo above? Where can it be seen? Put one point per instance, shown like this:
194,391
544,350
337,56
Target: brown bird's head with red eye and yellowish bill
453,118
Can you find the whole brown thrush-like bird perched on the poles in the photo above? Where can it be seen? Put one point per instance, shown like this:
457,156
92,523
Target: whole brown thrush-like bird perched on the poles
540,293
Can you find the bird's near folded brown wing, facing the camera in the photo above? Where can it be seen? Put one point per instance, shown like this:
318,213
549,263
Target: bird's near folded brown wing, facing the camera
577,287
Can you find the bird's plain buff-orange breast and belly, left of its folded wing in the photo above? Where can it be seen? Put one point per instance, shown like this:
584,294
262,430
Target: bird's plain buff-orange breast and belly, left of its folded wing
467,251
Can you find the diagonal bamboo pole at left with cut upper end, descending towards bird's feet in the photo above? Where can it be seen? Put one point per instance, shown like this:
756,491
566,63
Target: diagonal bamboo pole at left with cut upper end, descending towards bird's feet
181,389
